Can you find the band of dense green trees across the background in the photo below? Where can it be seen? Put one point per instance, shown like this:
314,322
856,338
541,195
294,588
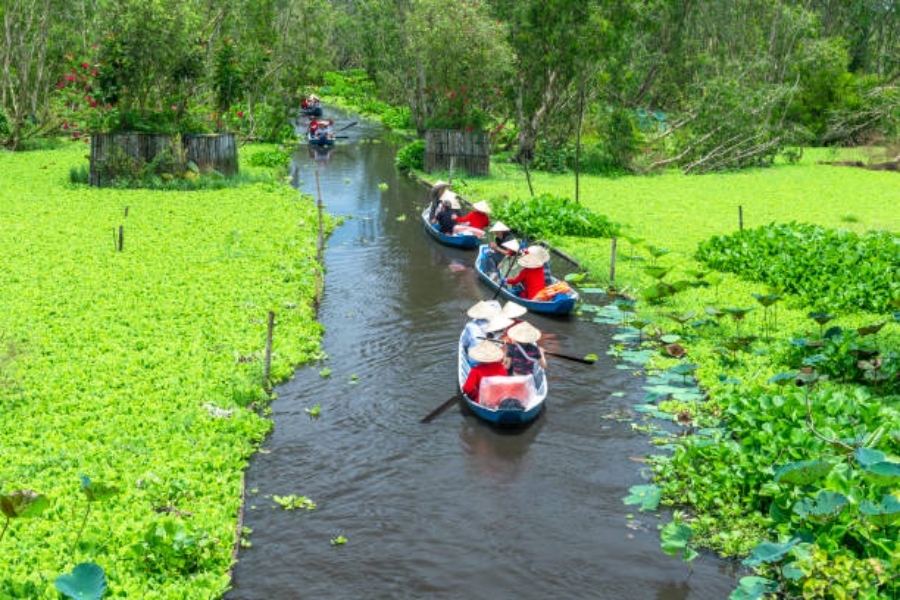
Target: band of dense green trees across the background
698,84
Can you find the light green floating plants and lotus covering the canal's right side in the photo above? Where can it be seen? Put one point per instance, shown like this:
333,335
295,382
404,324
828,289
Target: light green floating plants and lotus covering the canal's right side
727,488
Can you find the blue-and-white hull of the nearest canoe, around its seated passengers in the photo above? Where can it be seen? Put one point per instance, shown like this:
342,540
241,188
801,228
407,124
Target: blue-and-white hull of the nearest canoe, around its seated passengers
529,390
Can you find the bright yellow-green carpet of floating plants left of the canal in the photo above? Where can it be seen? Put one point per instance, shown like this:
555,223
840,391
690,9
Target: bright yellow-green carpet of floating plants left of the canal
132,382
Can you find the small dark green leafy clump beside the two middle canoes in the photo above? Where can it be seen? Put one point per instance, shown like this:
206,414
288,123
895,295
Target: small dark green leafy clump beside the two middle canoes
547,215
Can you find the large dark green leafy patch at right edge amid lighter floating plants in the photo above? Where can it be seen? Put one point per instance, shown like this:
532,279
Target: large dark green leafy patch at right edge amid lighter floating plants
828,268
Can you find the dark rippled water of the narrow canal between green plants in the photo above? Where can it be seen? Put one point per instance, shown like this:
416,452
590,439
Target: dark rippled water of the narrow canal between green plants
453,508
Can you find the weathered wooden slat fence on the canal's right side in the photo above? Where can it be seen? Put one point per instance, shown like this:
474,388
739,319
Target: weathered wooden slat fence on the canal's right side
467,151
